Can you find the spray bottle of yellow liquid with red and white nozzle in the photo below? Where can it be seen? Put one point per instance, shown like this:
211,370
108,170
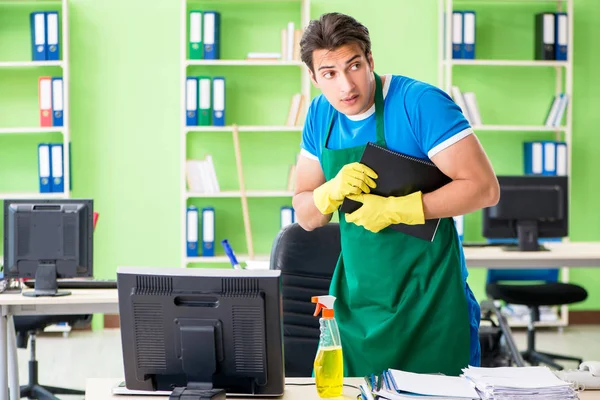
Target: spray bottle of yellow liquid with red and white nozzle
329,362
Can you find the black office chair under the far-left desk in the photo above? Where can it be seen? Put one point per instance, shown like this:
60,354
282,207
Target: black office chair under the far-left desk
26,327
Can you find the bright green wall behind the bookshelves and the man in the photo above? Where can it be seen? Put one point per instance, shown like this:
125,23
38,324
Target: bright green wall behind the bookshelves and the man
125,93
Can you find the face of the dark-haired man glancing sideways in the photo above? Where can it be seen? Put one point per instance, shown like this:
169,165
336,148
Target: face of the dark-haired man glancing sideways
345,76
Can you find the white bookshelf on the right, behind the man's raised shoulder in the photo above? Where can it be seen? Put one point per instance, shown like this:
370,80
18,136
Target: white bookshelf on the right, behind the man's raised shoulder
475,72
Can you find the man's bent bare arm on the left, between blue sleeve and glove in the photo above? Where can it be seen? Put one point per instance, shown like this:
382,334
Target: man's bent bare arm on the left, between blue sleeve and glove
309,176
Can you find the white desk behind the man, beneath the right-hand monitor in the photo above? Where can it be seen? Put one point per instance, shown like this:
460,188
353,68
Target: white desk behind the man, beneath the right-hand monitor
561,254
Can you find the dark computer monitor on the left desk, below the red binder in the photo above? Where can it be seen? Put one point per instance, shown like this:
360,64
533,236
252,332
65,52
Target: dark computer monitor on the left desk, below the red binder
48,239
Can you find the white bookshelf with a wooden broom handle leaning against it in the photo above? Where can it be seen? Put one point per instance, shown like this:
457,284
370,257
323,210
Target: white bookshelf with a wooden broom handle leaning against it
235,146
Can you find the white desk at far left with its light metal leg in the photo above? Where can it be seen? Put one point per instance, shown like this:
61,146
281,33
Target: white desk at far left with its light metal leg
81,301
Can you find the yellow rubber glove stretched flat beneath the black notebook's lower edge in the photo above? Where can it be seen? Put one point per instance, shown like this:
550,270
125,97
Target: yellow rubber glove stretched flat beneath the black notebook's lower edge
379,212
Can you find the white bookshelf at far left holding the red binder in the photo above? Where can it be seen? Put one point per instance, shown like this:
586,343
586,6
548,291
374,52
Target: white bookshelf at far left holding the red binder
22,121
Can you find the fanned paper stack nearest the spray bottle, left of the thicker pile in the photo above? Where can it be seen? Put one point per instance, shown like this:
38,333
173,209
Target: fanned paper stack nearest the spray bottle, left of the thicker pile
400,385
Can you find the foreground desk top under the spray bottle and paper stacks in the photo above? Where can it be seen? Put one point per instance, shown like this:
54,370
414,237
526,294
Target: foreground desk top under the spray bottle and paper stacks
100,389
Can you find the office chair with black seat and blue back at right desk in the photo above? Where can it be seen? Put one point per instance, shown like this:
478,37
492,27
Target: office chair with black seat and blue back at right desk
549,293
